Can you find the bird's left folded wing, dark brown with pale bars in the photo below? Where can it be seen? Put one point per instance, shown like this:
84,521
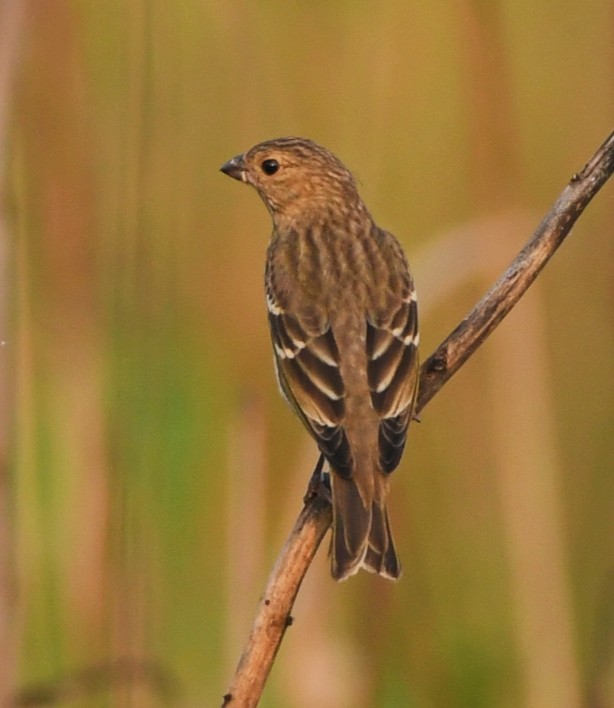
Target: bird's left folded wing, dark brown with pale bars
307,367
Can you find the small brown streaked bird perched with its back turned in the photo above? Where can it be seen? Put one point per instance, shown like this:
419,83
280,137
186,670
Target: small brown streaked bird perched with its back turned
344,324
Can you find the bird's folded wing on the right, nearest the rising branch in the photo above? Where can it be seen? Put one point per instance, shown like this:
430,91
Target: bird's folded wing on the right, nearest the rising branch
392,369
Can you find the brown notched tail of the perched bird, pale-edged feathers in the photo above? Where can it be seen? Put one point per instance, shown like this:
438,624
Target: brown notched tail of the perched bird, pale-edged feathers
361,534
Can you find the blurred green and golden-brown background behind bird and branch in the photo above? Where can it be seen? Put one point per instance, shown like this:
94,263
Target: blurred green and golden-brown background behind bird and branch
150,471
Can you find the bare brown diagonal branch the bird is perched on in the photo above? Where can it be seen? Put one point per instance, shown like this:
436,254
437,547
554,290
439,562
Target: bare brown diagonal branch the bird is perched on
273,616
